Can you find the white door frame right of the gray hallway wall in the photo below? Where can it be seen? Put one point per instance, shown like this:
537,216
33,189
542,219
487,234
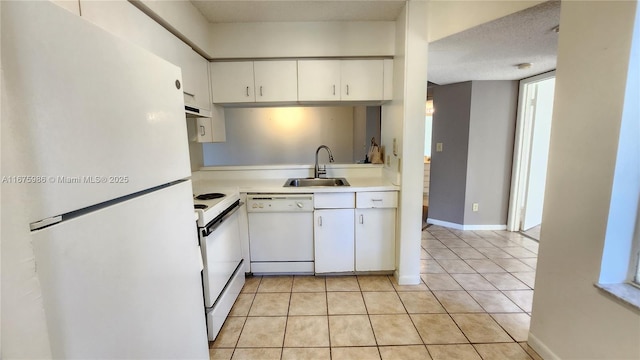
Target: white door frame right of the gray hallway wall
521,151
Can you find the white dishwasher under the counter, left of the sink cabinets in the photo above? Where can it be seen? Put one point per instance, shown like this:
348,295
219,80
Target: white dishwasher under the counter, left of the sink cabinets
281,233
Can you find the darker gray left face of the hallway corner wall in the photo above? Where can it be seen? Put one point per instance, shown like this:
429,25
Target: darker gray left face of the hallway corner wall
452,105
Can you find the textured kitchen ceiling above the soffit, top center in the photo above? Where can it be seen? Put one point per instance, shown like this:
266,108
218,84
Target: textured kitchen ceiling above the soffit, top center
218,11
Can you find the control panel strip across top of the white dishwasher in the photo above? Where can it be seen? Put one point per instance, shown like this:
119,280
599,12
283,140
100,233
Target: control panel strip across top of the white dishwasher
279,202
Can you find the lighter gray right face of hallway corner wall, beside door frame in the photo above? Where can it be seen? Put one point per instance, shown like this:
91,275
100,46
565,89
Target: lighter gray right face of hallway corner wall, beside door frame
491,135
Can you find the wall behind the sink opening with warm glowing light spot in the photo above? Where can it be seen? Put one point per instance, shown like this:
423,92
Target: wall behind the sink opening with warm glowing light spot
285,135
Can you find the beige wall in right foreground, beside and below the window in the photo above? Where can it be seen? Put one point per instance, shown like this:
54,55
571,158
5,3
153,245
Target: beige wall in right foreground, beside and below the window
572,319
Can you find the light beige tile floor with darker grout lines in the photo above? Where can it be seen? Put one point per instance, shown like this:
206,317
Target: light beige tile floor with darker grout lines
474,302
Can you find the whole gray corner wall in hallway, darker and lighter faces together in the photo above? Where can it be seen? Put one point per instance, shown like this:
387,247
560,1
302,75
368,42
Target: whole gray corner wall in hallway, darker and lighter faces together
475,121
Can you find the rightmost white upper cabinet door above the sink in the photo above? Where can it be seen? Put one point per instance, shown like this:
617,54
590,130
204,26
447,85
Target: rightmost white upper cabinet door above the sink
362,80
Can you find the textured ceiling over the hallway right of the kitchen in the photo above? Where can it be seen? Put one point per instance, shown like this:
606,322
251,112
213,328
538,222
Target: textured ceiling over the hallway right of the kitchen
493,50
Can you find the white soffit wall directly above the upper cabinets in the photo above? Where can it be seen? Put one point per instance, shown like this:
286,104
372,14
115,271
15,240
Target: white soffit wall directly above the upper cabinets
302,39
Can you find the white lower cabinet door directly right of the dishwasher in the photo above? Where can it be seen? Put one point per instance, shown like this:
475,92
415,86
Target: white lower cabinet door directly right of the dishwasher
333,240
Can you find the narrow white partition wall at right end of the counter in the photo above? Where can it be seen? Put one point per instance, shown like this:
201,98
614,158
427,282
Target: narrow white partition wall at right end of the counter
403,120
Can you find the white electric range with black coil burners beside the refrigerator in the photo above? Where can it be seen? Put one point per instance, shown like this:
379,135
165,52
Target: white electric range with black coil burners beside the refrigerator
219,236
